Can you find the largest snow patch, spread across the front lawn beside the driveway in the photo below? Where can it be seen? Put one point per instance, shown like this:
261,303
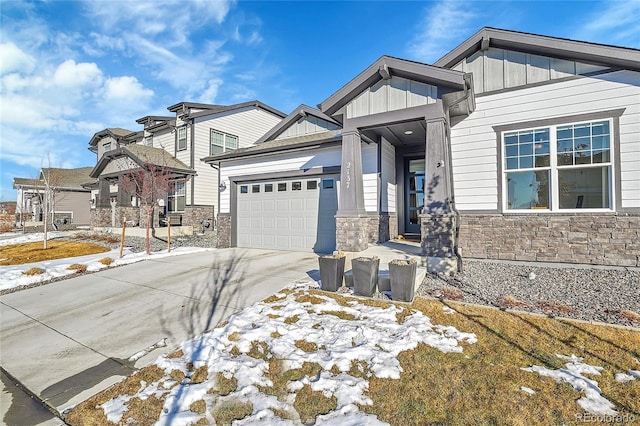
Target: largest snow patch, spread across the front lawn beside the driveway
344,336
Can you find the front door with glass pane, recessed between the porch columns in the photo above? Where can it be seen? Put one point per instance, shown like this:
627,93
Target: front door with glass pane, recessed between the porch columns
414,194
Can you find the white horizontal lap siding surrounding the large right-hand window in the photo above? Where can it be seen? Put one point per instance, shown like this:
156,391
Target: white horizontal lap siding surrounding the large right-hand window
474,145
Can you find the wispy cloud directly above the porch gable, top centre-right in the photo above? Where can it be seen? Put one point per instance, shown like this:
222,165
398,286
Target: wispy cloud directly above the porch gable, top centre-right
444,23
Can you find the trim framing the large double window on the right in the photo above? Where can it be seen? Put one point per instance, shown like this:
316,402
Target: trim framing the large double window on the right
613,116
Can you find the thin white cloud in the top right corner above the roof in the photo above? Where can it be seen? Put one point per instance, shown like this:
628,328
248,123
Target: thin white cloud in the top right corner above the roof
614,22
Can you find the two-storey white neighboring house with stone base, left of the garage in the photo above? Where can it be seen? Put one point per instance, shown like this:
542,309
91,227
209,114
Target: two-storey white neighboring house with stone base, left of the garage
194,131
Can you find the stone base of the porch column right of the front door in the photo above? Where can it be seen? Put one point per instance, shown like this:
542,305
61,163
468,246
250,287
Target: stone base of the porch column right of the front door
438,242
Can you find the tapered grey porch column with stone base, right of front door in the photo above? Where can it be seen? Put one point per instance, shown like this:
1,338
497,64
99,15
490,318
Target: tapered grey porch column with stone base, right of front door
438,221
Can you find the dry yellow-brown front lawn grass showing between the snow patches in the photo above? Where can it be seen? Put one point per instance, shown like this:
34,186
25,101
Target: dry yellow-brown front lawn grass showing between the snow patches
481,385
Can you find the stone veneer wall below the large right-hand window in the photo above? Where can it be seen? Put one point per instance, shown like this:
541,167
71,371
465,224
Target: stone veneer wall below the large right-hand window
599,239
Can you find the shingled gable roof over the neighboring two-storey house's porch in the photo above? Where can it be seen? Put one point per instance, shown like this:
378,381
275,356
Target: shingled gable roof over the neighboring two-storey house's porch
143,155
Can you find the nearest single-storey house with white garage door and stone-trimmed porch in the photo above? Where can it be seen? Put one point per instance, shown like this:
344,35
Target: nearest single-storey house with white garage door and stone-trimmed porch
512,146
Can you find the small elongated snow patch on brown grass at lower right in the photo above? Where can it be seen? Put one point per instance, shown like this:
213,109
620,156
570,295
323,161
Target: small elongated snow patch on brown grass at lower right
593,401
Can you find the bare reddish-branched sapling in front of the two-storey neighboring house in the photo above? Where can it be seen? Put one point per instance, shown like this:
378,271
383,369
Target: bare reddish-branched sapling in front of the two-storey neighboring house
149,184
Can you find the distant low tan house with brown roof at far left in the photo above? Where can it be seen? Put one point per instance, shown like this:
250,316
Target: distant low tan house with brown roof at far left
70,202
